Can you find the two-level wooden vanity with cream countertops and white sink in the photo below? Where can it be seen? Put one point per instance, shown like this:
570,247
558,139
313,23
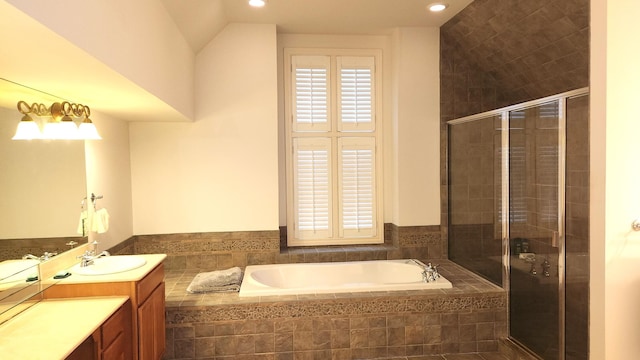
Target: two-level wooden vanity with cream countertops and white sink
92,314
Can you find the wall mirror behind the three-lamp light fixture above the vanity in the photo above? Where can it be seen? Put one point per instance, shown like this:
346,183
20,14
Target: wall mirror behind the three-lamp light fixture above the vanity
42,186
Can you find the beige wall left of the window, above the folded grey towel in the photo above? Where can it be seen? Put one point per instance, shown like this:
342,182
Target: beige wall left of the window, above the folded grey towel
219,173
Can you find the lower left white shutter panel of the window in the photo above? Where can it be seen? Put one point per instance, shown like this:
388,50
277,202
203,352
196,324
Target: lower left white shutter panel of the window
312,192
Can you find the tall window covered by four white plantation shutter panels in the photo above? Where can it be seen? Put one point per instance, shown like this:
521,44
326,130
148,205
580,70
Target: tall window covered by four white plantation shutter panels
333,161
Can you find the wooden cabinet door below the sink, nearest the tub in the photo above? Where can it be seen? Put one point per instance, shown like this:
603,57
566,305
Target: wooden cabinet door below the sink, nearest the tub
151,333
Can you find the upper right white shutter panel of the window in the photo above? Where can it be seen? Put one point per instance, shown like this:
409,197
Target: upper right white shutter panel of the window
356,93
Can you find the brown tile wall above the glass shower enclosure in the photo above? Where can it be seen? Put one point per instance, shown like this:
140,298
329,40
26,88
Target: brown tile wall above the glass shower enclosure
497,53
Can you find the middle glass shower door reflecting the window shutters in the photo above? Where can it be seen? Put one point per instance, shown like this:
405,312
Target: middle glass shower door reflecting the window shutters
535,227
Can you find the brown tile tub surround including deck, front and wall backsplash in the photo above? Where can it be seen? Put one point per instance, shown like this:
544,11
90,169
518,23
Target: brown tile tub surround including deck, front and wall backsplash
470,317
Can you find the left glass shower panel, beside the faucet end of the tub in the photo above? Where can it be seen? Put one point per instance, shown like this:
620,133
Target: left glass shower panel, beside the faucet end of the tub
475,196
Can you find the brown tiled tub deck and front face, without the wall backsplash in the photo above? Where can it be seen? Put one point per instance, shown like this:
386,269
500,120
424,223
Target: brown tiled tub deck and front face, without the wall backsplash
469,318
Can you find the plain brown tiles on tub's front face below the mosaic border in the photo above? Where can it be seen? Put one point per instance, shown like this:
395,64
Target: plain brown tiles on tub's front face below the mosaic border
370,336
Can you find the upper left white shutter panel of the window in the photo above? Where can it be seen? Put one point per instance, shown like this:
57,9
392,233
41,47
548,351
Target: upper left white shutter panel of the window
311,95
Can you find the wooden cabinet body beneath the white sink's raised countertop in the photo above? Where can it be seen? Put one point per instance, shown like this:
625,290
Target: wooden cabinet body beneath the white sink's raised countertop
147,307
